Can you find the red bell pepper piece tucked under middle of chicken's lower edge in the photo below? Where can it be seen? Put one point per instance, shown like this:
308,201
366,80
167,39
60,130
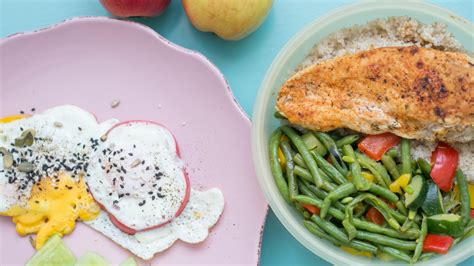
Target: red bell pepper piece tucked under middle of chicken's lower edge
375,146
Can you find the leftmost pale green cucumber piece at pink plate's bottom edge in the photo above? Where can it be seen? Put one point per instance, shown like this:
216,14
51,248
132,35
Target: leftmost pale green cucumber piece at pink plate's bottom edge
54,252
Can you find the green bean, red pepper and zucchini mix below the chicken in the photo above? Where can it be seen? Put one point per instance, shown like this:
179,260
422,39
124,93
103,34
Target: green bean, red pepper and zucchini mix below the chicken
369,196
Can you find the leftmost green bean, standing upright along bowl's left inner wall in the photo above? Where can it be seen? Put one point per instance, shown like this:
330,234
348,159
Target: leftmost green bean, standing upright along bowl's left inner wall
276,167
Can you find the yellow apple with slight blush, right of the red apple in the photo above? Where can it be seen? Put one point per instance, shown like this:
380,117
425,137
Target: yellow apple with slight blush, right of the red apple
228,19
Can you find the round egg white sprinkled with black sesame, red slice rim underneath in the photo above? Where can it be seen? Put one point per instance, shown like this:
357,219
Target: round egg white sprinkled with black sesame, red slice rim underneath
144,195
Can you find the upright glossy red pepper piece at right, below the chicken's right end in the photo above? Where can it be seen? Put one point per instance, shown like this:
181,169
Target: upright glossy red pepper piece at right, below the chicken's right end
444,162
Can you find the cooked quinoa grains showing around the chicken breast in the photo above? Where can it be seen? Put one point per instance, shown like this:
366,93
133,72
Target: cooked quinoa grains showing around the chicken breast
395,31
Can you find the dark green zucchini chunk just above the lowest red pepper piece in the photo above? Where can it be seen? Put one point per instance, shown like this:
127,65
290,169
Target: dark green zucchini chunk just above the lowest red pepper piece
446,224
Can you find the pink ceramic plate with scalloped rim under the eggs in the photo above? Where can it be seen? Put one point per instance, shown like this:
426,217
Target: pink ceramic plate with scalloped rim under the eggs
90,62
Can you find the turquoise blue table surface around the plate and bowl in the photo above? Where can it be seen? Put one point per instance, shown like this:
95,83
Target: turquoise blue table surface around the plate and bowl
243,63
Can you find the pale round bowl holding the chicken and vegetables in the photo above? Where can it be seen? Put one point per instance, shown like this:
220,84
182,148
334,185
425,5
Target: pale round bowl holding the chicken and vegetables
289,58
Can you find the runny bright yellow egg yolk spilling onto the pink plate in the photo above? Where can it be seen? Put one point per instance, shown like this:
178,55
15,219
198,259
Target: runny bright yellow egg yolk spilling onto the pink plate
53,208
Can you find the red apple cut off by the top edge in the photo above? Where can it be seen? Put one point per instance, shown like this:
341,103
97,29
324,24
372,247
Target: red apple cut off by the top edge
135,8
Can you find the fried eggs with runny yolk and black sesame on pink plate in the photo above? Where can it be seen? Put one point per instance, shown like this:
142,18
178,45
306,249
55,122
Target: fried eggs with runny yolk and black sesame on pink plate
125,180
